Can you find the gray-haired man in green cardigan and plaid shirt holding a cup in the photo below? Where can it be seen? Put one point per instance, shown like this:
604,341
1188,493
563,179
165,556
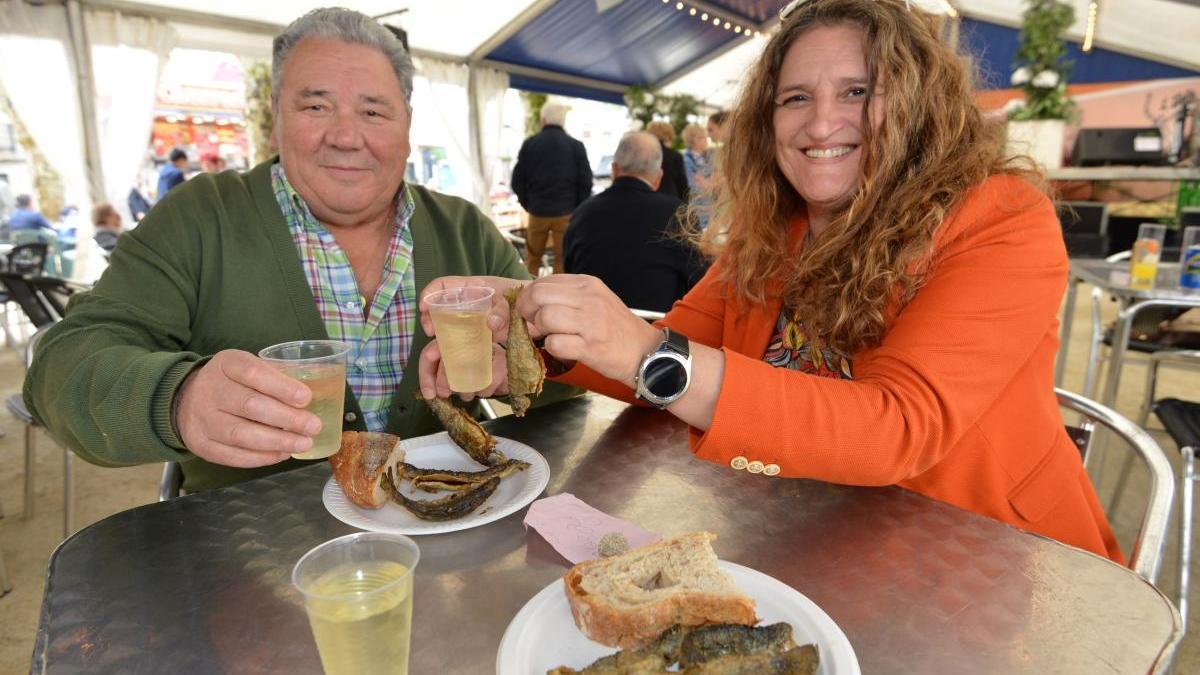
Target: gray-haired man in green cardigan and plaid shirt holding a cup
158,362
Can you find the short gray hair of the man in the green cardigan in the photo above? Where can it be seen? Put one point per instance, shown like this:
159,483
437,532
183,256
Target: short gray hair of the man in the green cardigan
346,26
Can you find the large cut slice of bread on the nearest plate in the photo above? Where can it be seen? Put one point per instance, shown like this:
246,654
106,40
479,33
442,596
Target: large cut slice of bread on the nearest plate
627,601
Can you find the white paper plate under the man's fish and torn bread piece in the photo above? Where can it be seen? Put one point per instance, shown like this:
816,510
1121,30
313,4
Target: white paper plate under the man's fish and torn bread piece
440,452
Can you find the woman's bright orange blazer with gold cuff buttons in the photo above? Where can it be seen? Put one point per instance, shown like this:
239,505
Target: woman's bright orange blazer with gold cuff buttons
957,403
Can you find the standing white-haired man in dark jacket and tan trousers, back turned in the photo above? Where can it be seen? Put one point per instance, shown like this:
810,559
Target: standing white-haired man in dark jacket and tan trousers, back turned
551,178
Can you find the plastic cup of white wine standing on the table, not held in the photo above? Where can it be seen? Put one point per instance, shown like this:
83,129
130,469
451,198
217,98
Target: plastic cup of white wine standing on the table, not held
358,594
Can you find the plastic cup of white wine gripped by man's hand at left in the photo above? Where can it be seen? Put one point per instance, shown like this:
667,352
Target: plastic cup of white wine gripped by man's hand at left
321,366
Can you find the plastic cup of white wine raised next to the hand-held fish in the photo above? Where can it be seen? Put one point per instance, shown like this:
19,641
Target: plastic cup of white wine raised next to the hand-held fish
460,320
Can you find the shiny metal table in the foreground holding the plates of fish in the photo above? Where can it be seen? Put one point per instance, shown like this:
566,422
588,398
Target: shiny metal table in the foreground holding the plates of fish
201,584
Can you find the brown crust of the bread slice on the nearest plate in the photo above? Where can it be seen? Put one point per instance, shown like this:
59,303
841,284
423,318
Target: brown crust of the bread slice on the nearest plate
629,629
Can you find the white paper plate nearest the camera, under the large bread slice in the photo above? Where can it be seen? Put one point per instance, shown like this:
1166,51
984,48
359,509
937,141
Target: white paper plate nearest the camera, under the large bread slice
543,636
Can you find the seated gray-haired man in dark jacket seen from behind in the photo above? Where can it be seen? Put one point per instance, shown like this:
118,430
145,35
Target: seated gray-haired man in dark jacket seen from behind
628,235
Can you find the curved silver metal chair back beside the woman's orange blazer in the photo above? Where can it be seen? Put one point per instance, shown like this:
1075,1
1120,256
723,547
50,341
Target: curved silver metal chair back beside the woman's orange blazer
1148,551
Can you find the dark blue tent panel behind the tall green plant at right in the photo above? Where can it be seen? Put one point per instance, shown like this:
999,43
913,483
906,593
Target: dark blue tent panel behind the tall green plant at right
995,47
